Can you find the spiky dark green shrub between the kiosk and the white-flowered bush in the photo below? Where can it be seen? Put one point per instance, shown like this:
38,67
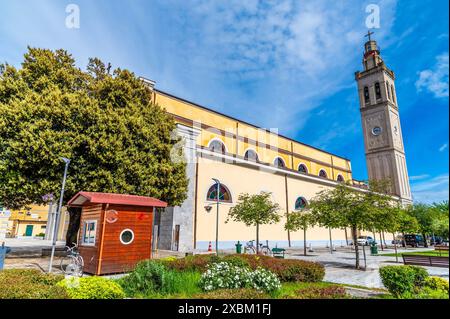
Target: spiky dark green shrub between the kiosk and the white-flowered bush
152,279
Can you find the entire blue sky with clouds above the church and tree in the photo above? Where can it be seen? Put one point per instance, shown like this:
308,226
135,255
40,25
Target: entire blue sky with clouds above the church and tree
287,64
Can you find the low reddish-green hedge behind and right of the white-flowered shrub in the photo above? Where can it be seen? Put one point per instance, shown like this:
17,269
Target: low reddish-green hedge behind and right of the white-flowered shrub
287,270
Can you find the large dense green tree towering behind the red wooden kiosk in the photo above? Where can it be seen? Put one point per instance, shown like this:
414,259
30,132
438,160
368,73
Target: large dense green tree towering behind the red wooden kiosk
117,138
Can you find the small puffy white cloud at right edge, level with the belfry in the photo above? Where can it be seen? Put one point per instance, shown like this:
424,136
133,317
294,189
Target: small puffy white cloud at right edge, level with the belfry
435,80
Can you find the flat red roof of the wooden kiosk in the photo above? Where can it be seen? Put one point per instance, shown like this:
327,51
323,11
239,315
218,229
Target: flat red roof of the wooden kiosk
83,198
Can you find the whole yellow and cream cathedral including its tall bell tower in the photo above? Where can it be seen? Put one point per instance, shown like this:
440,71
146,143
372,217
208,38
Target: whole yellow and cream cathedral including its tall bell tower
244,158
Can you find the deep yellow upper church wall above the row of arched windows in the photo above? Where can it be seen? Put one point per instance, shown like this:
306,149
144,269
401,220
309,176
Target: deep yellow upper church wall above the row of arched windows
239,136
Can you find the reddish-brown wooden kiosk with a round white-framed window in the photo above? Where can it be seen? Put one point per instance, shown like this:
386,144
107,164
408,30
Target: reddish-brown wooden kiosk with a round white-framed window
115,230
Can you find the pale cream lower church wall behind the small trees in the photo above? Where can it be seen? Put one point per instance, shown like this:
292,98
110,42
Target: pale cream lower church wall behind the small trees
239,179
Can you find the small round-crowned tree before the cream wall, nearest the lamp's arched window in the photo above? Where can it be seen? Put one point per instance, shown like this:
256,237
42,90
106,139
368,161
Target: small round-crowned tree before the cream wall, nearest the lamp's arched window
255,210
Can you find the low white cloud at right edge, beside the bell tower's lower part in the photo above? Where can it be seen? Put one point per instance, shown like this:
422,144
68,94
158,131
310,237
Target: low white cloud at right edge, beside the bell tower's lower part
432,190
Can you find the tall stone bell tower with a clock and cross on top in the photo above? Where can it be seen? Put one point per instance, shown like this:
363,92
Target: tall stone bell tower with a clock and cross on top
385,153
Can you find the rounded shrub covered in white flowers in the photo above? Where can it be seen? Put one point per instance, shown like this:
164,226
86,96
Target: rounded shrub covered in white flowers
224,275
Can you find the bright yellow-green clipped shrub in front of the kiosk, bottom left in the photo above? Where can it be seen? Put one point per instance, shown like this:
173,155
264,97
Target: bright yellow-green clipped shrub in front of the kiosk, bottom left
92,288
